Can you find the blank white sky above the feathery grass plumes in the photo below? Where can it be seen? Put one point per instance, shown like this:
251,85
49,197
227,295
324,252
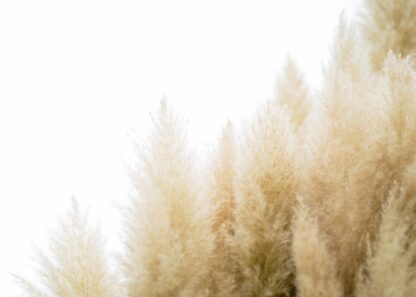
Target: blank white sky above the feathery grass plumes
76,77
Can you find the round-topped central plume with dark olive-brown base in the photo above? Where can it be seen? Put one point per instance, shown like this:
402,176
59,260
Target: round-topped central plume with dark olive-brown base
265,187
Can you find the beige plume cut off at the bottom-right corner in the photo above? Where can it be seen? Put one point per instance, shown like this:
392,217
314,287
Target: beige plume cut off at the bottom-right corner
390,269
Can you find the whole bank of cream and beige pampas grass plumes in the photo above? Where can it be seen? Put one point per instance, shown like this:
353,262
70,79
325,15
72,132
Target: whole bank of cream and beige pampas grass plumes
313,196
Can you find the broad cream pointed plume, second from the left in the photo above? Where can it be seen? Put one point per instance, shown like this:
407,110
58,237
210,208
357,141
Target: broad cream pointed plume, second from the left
168,235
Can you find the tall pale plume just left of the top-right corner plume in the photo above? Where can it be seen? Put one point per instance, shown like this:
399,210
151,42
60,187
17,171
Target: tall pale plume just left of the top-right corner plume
342,155
